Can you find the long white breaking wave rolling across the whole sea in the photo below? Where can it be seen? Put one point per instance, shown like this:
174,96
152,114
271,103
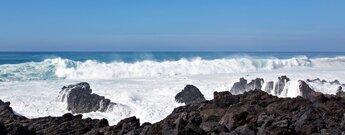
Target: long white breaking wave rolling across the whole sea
59,68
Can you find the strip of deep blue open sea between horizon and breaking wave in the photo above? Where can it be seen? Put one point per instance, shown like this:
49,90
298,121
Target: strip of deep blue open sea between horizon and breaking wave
21,57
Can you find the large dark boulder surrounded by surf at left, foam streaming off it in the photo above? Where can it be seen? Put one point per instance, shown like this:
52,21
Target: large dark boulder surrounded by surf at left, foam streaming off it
80,99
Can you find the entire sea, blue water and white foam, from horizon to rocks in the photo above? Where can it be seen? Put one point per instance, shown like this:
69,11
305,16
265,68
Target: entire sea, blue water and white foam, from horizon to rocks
148,81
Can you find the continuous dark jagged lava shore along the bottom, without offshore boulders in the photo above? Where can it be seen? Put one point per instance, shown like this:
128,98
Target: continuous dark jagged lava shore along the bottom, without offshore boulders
254,112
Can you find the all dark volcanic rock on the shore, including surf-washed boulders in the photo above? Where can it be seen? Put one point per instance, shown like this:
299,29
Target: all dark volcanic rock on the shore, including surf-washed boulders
252,111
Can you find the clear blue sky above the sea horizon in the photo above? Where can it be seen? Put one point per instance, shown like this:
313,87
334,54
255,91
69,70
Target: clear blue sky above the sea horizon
175,25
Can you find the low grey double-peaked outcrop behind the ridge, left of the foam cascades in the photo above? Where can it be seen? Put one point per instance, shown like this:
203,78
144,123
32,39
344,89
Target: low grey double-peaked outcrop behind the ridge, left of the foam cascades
242,86
